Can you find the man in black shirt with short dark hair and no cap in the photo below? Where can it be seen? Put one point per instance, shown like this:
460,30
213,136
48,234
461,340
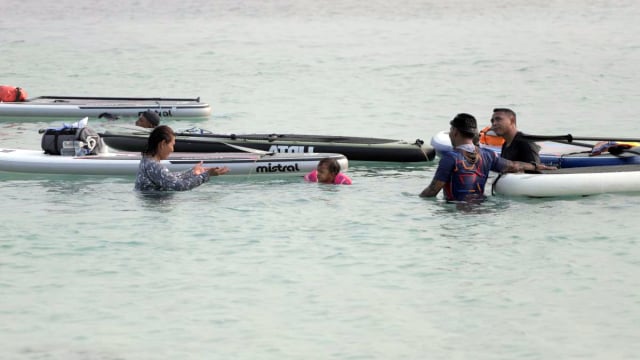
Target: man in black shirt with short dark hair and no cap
515,147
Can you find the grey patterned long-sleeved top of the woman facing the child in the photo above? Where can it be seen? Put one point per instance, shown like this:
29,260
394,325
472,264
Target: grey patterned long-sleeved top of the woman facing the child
154,176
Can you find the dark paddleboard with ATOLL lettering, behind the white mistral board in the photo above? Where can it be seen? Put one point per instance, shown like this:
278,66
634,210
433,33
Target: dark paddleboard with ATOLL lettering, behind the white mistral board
354,148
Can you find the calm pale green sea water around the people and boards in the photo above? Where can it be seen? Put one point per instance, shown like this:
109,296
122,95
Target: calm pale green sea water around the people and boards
254,268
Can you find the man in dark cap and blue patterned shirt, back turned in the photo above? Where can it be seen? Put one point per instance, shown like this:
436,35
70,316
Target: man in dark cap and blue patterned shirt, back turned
463,172
